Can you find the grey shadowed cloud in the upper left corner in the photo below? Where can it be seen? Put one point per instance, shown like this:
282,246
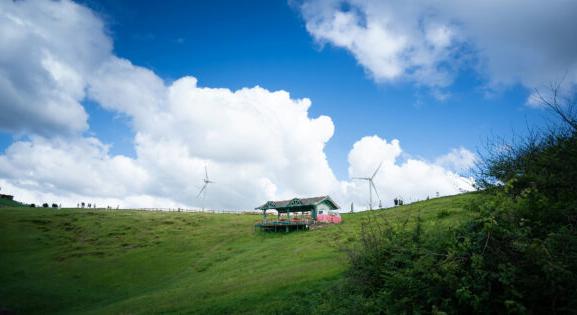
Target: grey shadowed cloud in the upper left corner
47,51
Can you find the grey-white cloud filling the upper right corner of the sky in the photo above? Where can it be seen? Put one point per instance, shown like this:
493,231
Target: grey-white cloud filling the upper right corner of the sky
514,42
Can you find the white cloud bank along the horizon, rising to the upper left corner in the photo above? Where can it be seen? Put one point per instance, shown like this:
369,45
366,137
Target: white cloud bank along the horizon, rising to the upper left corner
257,144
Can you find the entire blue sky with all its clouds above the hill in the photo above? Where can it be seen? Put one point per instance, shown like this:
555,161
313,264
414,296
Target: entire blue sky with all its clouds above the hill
125,103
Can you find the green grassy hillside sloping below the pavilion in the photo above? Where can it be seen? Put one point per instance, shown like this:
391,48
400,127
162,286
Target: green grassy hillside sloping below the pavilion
71,260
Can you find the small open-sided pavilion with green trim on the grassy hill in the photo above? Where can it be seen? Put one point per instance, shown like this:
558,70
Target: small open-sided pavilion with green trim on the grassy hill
298,214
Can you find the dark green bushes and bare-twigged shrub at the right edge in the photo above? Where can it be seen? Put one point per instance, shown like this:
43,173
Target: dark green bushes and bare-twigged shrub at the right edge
517,255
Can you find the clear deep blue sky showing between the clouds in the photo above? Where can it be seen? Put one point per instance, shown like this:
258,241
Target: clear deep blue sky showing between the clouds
232,44
